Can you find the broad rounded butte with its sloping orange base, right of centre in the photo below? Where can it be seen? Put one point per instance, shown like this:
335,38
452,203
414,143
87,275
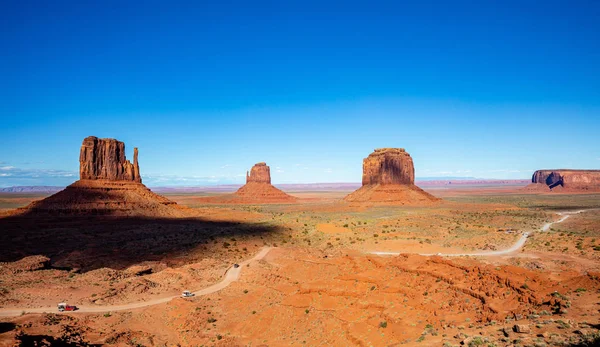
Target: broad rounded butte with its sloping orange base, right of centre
389,177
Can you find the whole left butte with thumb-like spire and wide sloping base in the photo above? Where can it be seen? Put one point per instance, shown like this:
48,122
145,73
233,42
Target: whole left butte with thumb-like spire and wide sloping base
109,185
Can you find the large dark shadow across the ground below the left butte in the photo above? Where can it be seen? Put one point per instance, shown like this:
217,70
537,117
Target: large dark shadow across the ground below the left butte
93,242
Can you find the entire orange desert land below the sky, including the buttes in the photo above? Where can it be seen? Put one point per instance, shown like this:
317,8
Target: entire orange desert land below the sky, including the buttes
486,263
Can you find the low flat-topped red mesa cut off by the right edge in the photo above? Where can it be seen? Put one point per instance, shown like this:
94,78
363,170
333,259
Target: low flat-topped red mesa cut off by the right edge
565,180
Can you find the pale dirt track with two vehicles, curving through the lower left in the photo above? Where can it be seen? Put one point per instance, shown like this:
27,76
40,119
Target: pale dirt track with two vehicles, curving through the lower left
231,275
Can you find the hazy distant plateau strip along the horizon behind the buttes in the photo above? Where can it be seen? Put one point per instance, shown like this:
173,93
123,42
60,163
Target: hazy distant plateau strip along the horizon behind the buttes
426,182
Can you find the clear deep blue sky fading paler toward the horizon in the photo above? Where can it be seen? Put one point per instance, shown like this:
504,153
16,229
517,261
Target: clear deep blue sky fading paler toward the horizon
491,89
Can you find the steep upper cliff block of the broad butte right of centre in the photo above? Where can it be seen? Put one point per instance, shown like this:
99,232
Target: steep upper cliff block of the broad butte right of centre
388,166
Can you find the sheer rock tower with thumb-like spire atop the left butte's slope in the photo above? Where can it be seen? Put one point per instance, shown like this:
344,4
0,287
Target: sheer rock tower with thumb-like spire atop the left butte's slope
105,159
